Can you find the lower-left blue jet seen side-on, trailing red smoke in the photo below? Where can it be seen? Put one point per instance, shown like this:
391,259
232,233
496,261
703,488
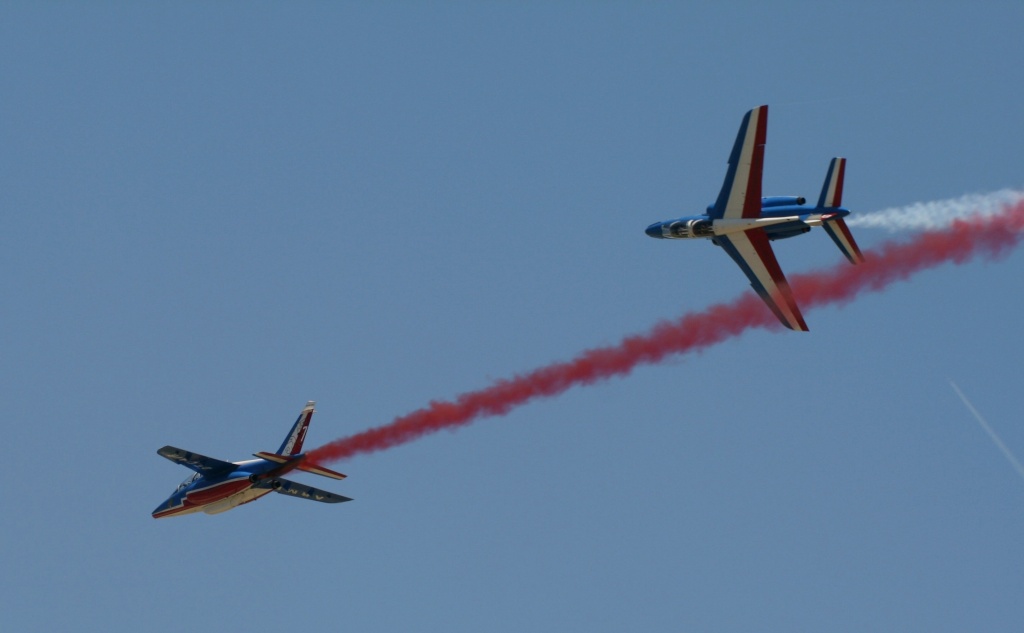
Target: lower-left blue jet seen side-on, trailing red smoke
219,487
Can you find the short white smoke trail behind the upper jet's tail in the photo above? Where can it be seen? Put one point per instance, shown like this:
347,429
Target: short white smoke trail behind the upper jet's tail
937,215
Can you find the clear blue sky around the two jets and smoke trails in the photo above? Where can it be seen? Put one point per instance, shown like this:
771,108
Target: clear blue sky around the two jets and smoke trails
212,214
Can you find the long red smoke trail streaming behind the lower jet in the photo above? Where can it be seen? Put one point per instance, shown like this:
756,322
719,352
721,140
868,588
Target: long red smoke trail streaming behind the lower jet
994,236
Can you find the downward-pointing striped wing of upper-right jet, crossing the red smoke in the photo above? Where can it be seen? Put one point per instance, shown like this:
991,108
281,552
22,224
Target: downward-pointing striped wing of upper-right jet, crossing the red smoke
753,252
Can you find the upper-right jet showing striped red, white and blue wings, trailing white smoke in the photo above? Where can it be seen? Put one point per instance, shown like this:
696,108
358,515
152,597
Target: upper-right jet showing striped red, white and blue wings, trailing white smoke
744,224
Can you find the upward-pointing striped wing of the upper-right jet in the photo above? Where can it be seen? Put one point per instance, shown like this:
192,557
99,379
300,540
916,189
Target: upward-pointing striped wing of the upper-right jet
741,195
